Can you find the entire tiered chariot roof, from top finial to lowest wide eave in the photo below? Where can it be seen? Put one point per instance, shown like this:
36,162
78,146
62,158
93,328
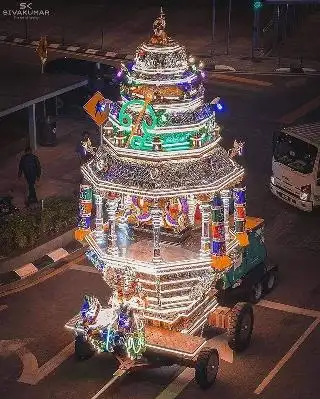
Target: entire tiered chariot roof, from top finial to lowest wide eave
162,101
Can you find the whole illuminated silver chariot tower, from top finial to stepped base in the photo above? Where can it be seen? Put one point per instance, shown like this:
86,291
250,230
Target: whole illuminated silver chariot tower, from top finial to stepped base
160,164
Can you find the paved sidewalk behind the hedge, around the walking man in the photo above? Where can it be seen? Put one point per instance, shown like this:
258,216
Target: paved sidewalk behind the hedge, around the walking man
60,165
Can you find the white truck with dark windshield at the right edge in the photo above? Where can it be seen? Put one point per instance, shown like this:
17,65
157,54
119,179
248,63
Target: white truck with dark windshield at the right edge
296,166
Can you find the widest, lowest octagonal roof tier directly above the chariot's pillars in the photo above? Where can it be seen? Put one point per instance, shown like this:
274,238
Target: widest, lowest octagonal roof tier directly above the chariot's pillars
159,178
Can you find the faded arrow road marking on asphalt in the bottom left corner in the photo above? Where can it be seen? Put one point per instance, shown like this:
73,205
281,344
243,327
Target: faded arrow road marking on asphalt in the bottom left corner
32,373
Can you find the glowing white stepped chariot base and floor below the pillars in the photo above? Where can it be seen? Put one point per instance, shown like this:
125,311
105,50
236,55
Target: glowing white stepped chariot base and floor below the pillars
178,286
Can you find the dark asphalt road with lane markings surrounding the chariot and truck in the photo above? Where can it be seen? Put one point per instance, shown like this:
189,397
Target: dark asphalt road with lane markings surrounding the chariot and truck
282,361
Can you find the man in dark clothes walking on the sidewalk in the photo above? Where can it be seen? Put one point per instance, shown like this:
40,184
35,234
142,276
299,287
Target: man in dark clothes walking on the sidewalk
30,167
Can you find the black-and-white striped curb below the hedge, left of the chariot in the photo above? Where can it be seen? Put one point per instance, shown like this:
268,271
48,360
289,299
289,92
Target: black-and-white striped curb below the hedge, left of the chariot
51,260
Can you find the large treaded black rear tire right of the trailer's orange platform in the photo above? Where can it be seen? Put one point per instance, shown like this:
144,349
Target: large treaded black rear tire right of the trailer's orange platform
240,326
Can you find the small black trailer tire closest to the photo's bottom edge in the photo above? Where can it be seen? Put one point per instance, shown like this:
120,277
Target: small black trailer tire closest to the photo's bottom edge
206,367
